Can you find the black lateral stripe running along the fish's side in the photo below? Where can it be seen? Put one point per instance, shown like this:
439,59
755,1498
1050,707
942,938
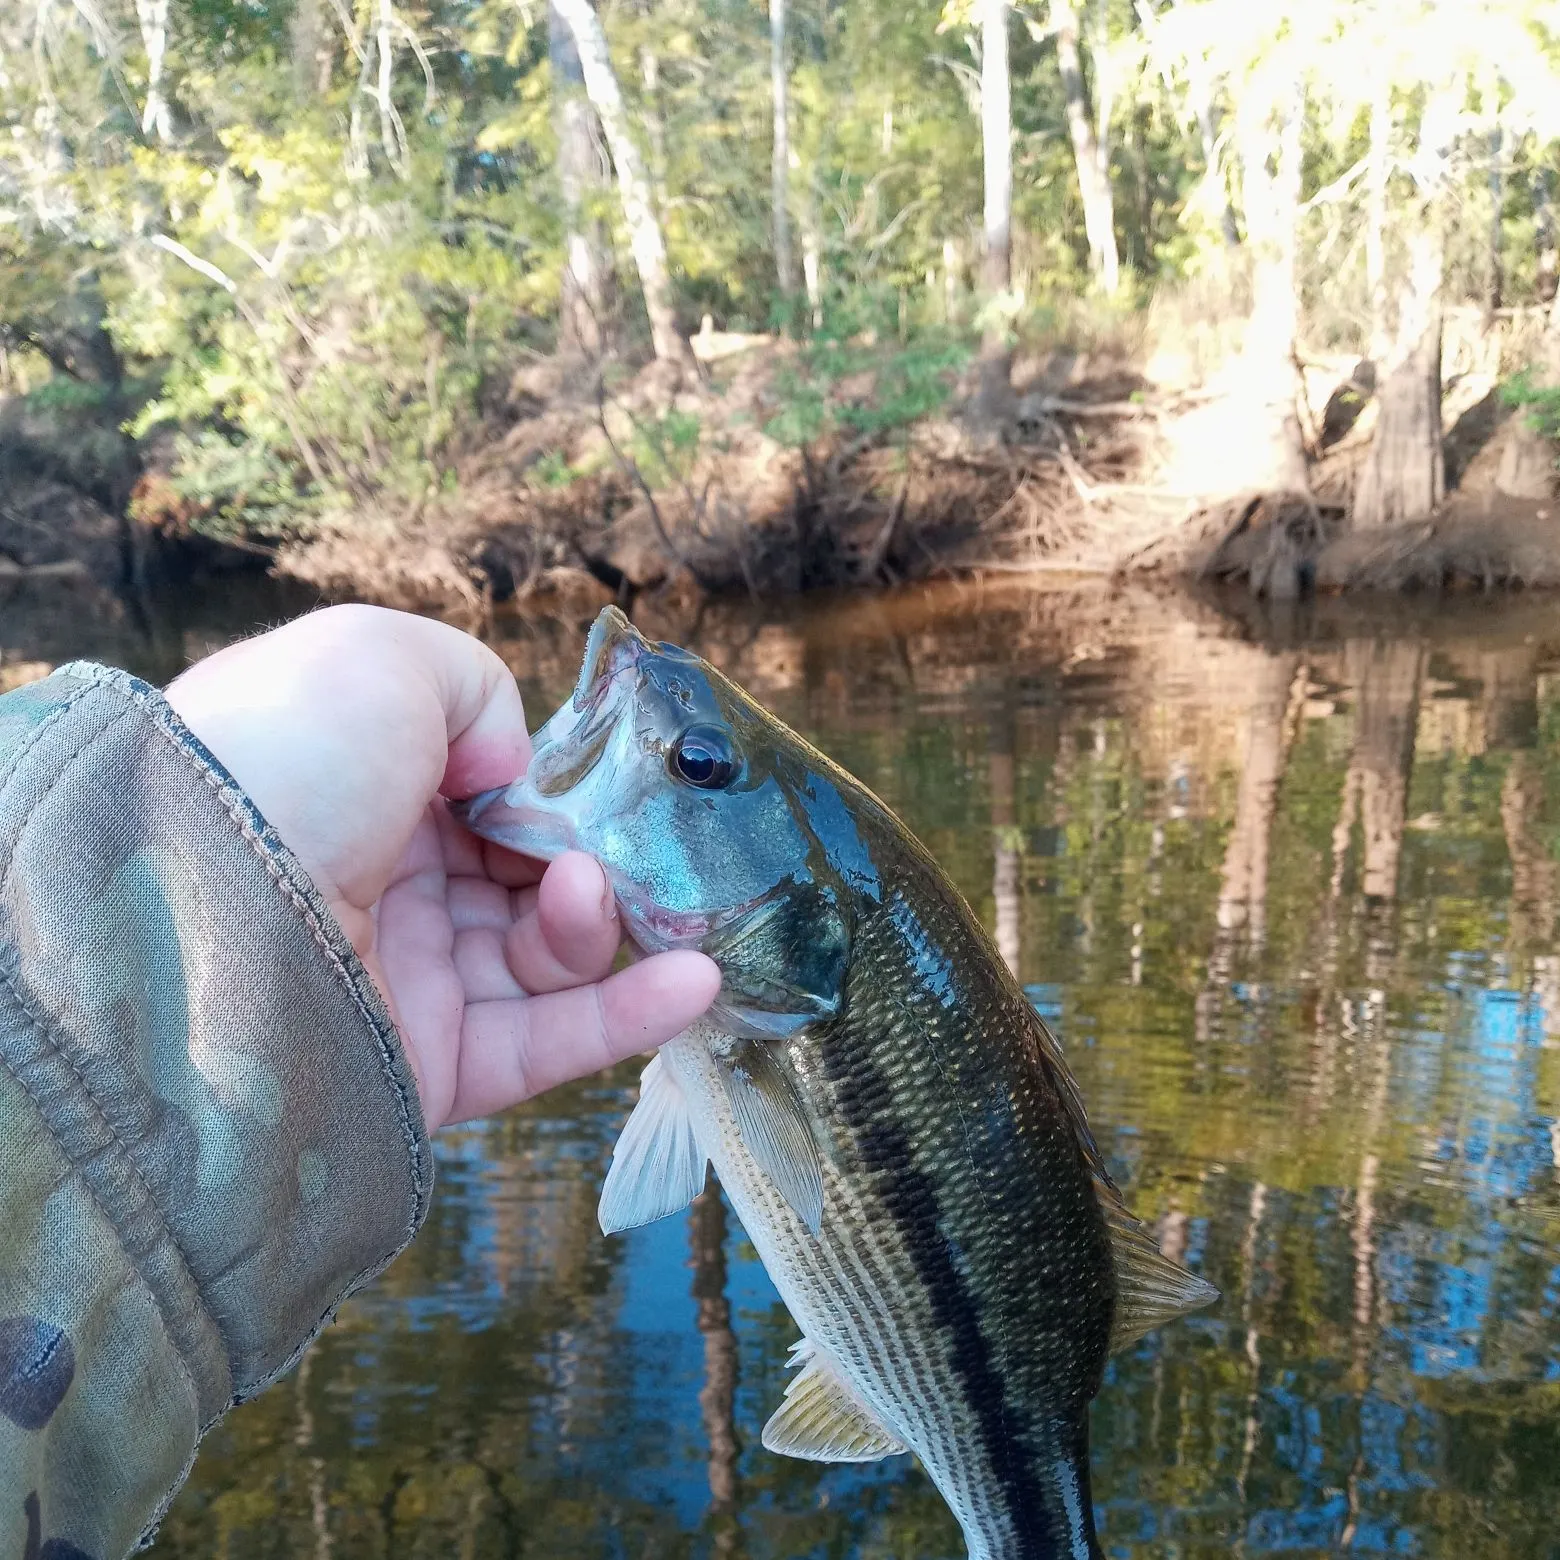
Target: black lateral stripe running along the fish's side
910,1200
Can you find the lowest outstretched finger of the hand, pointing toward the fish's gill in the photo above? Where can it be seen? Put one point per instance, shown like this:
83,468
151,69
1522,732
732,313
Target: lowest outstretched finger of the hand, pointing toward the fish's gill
512,1051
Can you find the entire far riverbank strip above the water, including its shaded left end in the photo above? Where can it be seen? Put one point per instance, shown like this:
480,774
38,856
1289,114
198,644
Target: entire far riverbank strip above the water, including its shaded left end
782,469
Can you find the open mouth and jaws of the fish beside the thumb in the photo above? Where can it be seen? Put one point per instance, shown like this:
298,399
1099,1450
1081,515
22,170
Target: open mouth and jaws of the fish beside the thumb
530,815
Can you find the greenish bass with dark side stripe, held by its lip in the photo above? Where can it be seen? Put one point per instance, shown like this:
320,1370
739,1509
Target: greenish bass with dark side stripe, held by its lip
887,1113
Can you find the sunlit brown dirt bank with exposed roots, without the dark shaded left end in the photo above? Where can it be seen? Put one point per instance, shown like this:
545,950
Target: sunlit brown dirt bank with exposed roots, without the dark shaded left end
784,472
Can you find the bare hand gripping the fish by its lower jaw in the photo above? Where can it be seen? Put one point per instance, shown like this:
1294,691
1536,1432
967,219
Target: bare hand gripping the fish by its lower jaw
349,728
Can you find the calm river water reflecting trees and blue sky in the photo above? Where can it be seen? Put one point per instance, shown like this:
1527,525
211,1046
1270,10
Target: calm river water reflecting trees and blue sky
1288,895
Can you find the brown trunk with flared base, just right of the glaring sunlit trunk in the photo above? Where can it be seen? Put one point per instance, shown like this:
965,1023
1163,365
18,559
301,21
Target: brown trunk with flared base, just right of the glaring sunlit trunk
1405,475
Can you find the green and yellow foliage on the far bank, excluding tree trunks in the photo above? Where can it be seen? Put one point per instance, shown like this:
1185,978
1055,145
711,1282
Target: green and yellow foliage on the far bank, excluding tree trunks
353,235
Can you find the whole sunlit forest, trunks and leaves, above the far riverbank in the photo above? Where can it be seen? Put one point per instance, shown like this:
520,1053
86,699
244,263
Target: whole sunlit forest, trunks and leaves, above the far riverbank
308,244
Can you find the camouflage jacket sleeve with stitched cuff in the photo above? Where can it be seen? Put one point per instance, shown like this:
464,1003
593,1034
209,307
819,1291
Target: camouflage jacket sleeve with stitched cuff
208,1130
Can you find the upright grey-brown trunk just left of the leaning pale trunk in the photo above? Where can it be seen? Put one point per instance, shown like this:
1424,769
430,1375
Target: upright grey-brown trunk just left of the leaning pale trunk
583,313
